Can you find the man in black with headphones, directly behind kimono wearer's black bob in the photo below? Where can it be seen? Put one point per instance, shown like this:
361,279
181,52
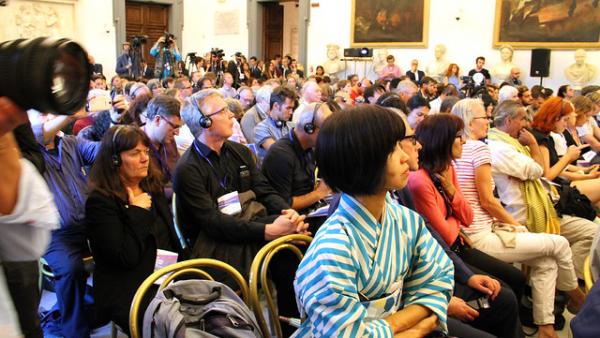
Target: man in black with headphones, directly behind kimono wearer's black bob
290,165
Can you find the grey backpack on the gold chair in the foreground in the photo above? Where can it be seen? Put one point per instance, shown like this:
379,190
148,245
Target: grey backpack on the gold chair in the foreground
198,308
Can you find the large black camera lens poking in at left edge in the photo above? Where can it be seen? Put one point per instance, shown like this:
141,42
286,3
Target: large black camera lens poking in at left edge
49,75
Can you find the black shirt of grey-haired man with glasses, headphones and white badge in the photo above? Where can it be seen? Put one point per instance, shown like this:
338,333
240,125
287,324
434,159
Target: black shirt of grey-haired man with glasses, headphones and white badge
199,181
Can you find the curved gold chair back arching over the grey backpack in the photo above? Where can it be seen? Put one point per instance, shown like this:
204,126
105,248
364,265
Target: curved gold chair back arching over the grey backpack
176,270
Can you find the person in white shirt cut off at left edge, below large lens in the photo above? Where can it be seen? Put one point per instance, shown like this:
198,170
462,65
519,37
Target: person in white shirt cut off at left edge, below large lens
27,214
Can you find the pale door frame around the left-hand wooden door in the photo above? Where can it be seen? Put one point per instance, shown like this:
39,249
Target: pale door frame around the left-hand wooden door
175,20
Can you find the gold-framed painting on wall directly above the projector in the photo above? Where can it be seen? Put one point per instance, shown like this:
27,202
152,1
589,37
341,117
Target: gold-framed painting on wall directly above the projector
390,23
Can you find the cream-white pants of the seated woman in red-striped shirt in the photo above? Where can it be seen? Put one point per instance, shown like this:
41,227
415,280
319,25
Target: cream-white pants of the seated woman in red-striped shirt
549,258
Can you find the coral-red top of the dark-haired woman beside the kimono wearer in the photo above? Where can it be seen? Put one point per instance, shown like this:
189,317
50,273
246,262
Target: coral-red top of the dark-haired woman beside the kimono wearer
430,204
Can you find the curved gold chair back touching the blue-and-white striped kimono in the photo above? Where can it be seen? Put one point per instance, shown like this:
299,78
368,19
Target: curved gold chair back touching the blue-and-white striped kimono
259,278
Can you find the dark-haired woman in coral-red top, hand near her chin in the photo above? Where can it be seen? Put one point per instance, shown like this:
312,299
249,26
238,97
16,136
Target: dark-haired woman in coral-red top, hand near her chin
438,198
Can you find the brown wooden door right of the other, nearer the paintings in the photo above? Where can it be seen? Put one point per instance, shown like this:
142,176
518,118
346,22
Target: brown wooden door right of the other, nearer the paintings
272,30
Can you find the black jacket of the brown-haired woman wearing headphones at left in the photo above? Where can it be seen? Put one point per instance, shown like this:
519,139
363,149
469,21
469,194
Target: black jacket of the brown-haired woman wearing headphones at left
124,250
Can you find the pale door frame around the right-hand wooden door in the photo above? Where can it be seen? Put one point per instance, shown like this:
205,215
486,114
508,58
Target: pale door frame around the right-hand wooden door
255,34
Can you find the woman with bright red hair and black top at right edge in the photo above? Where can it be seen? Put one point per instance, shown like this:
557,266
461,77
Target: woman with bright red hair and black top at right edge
552,117
